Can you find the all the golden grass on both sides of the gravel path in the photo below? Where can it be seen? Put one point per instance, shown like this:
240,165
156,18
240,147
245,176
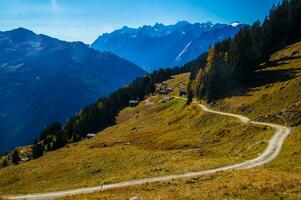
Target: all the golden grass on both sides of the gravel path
152,140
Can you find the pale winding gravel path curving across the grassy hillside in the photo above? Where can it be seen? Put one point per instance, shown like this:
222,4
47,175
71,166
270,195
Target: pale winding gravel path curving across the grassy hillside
270,153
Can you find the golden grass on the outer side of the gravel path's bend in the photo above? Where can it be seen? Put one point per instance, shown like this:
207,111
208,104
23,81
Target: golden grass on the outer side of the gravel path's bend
276,98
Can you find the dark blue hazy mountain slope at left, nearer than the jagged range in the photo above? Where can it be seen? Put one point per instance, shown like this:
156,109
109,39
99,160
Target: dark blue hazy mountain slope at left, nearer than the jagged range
43,79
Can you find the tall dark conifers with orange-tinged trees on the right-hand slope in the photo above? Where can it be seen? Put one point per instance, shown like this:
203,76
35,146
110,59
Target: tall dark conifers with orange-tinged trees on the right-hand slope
231,63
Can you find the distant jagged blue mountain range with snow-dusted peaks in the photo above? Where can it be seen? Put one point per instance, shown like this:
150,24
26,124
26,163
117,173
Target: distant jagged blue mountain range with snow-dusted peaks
153,47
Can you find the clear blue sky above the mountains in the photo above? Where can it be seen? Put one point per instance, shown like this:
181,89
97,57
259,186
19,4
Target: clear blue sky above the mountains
84,20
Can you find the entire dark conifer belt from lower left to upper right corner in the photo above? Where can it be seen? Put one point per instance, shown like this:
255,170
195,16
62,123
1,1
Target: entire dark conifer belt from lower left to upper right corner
228,67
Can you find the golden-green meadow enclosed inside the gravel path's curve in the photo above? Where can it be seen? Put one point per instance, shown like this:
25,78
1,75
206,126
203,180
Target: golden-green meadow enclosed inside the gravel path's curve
149,140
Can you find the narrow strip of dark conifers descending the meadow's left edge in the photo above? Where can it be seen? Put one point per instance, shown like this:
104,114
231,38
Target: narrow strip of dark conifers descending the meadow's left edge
101,114
